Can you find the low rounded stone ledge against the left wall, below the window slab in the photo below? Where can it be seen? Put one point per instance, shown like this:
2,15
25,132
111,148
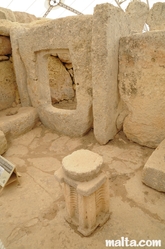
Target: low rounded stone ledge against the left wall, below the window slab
19,123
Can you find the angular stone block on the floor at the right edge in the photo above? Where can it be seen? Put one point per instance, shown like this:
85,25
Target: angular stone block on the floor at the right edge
154,169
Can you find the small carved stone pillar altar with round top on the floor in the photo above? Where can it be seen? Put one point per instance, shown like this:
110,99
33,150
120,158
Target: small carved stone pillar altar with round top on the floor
86,190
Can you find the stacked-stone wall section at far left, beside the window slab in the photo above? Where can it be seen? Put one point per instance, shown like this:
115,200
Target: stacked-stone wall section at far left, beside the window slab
9,95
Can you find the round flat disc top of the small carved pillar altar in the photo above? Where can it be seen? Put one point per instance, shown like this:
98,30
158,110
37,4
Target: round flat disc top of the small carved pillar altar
82,165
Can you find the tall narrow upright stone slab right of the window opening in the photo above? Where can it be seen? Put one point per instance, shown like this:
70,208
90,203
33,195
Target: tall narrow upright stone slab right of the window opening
109,24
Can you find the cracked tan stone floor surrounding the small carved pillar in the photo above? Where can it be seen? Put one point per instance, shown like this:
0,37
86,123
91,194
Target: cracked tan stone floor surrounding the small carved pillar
32,213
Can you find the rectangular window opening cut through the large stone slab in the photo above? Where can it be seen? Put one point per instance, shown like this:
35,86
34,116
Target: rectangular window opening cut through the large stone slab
61,80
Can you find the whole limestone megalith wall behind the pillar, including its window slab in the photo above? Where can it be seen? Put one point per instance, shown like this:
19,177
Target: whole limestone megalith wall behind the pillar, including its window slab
115,78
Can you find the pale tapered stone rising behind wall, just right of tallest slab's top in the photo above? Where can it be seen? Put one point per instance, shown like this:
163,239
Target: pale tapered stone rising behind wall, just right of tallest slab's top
137,13
